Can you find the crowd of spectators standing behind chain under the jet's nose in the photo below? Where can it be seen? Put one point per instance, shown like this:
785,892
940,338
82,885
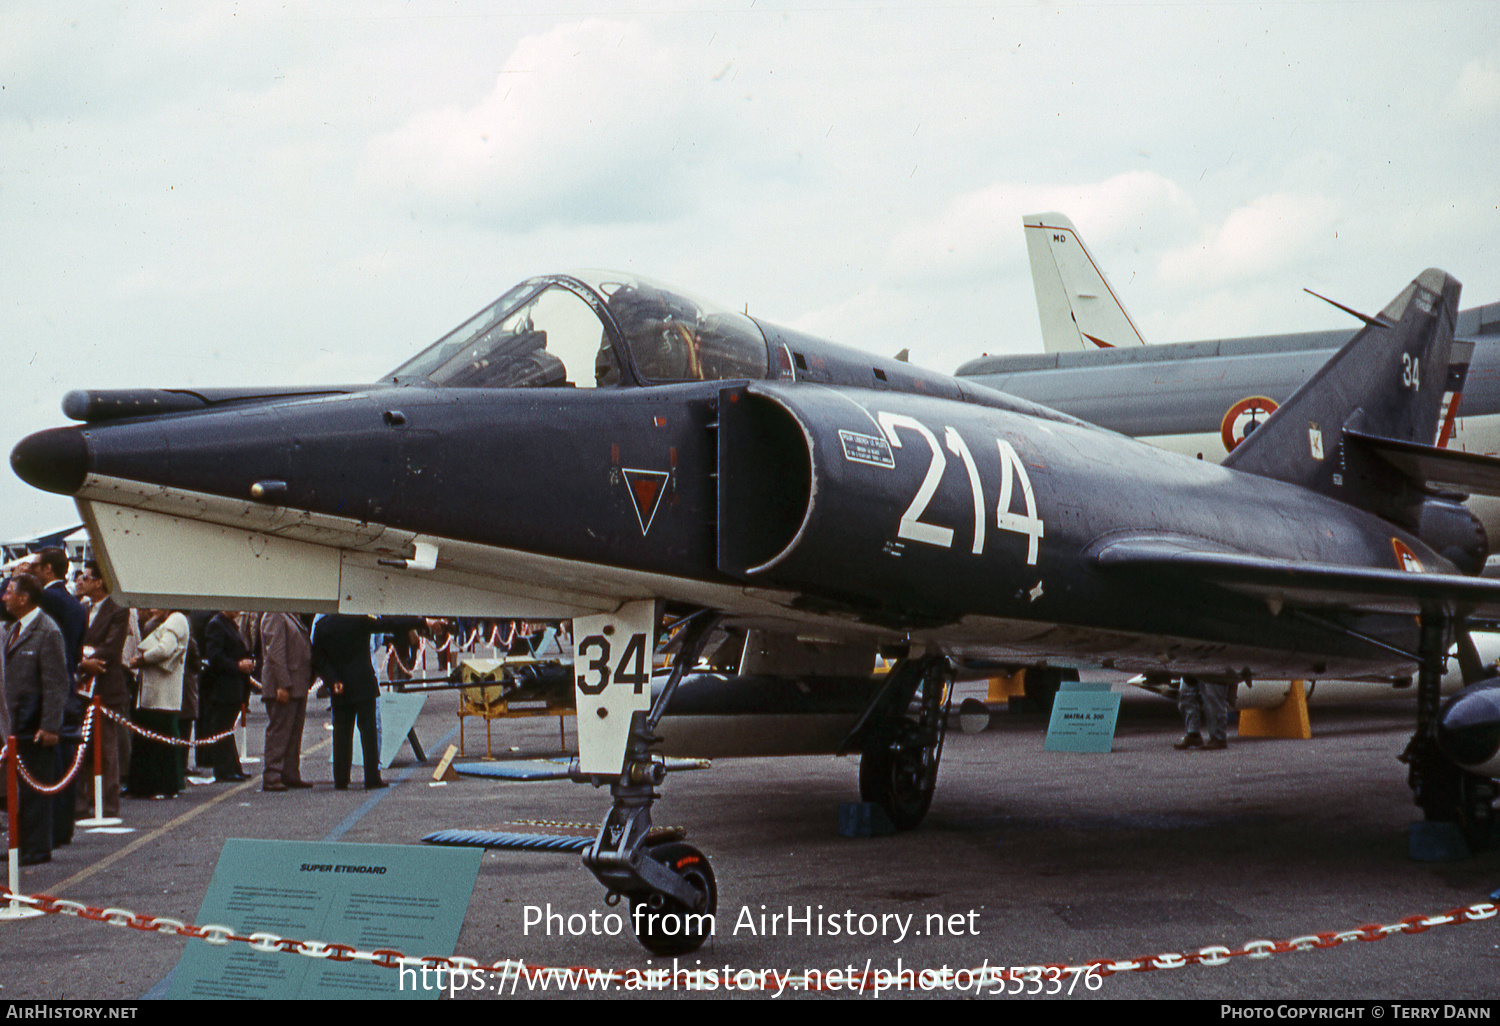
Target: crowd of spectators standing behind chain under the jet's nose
176,676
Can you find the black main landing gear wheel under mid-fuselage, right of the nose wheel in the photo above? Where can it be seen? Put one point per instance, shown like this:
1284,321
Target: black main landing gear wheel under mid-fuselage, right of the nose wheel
899,767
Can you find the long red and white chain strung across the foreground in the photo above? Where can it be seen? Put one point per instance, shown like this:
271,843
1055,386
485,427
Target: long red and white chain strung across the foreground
514,970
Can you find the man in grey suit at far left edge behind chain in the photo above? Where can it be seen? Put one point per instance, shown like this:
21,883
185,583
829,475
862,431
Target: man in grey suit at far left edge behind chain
37,691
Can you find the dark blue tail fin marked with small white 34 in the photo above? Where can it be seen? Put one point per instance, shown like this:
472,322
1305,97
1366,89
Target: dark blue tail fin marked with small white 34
1387,385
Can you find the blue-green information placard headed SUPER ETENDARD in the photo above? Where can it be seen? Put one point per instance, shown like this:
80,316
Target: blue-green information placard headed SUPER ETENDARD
404,898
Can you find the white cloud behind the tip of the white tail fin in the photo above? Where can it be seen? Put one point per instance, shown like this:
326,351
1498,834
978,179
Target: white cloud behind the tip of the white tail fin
980,232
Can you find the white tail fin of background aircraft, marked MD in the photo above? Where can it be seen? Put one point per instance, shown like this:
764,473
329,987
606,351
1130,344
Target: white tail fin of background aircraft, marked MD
1079,310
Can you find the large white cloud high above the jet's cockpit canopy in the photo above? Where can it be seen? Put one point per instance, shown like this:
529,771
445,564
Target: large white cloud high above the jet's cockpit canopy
590,122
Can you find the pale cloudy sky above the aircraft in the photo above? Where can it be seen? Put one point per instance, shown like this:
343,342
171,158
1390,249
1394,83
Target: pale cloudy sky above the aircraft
310,193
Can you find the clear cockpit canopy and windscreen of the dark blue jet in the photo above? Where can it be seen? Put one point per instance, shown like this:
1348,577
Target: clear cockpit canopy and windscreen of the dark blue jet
590,329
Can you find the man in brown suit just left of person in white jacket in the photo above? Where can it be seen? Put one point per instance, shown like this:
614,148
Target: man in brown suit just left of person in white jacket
103,664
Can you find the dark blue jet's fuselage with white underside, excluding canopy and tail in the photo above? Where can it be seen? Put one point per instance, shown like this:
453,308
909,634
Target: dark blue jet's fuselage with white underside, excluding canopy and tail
875,514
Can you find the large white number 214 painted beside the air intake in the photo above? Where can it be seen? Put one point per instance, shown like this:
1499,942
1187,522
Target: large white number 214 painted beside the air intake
914,529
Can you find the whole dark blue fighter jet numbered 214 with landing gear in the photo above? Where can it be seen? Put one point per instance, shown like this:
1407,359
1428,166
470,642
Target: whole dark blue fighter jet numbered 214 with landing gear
601,448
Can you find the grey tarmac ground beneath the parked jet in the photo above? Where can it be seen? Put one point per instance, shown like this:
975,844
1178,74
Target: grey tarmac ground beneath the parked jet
1027,859
